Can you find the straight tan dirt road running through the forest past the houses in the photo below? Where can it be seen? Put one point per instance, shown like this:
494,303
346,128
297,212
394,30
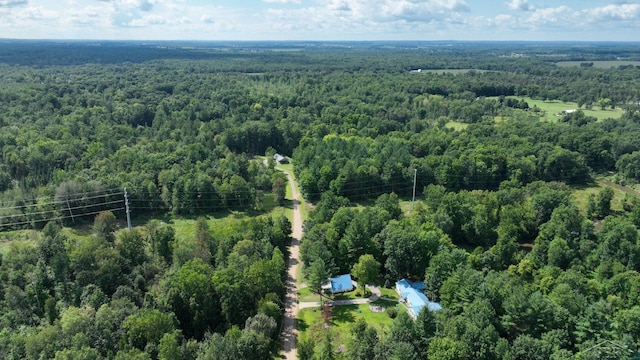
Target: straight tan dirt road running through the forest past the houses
289,332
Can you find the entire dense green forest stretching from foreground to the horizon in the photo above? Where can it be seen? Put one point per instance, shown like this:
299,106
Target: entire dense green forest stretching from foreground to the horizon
523,269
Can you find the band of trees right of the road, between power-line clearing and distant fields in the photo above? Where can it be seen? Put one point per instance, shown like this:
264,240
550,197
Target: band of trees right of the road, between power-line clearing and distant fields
481,157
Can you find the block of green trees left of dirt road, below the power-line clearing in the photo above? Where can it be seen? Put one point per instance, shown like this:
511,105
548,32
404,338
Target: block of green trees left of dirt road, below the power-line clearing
145,293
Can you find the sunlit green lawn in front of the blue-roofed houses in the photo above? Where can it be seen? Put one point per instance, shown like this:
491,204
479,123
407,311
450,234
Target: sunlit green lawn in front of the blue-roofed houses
310,321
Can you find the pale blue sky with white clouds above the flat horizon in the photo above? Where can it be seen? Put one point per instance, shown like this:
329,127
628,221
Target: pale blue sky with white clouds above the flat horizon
529,20
